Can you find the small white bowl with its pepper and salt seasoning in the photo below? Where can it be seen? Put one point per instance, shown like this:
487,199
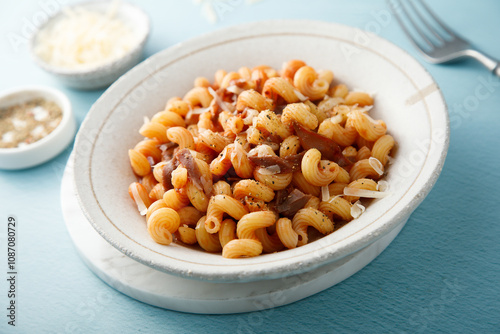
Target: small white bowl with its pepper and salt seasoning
36,124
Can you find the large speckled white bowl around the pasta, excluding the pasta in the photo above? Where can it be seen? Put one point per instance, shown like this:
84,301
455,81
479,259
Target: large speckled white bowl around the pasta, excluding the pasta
407,99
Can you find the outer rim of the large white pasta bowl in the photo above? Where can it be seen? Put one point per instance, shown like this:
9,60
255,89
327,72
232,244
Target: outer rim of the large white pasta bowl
391,218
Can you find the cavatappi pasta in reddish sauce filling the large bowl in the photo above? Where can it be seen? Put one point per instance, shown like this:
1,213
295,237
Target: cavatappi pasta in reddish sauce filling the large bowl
248,163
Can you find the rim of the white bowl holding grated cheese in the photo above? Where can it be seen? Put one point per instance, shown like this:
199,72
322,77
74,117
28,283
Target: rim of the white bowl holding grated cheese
106,66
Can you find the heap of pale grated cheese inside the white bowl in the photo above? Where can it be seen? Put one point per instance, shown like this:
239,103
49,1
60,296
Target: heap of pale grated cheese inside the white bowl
84,39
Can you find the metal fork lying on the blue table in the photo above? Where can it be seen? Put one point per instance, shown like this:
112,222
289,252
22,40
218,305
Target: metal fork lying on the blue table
434,45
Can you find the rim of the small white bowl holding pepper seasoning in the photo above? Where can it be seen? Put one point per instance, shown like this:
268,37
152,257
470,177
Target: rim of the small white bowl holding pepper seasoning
63,102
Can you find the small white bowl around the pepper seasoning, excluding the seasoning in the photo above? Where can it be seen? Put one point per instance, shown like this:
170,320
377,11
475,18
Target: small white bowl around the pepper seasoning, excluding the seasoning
47,147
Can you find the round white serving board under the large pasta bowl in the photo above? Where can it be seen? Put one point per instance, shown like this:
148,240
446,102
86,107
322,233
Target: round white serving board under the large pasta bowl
188,295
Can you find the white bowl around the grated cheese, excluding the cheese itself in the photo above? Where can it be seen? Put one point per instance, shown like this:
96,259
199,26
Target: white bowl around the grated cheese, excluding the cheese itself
105,74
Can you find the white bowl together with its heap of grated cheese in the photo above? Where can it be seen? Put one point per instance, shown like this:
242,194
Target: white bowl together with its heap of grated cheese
91,44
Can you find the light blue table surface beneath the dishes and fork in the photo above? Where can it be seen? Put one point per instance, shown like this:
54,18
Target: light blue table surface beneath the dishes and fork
441,274
